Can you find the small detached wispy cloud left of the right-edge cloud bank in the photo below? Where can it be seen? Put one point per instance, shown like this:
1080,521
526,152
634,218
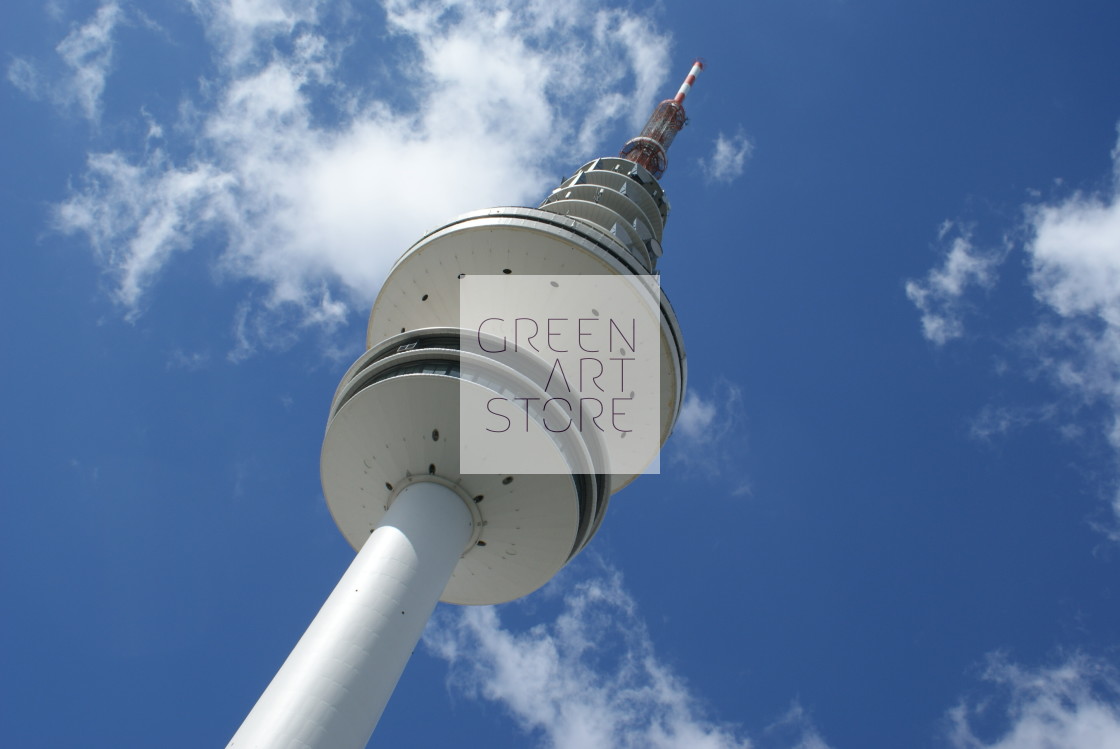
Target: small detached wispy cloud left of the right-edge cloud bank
940,298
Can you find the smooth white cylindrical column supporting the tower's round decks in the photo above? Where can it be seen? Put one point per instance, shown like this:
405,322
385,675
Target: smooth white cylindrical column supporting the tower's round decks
332,690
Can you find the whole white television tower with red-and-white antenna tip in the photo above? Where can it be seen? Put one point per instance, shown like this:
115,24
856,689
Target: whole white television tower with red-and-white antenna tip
425,531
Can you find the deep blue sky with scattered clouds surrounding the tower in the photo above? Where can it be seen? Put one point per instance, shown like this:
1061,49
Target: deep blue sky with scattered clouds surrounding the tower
889,517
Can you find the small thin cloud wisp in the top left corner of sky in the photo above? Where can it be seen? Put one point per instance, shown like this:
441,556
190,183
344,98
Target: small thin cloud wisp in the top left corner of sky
88,54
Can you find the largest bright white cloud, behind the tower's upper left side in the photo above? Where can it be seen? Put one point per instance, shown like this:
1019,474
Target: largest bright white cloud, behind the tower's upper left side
316,213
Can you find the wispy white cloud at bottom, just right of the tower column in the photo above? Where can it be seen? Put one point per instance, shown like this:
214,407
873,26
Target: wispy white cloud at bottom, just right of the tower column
589,679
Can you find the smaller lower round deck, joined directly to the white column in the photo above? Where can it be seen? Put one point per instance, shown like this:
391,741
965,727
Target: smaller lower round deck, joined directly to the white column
395,420
